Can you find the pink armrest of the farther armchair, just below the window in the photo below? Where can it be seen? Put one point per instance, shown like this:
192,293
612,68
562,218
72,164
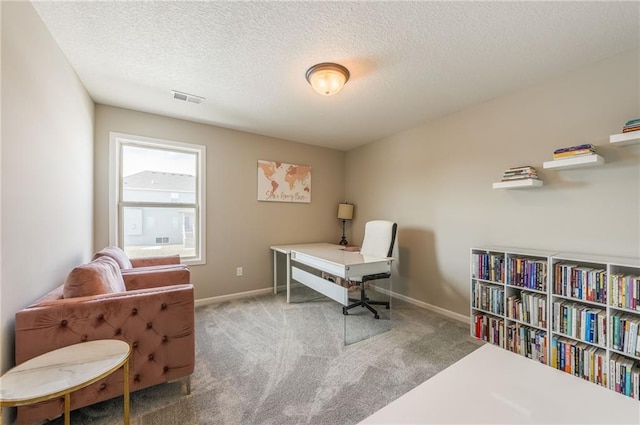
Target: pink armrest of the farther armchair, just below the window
155,276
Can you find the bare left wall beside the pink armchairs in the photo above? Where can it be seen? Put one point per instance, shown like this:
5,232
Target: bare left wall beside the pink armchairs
47,166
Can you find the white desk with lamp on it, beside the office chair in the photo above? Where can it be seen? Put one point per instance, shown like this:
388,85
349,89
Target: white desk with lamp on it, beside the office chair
329,258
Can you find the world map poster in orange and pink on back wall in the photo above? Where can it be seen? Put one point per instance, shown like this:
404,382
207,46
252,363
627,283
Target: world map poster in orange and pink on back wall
280,182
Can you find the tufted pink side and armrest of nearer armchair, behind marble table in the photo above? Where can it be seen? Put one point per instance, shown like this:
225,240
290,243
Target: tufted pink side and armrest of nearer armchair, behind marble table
147,319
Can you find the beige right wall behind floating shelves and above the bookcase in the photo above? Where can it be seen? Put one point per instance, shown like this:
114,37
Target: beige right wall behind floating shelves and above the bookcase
435,180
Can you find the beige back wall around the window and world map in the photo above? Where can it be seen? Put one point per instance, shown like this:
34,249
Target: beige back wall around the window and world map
239,228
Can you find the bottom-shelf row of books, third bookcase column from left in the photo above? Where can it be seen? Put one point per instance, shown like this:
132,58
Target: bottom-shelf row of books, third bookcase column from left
579,359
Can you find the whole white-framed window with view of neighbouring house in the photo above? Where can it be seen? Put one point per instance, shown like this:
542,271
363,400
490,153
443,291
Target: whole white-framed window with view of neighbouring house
157,197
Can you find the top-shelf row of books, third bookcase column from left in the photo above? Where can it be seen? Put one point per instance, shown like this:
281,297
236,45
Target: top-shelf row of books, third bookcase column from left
583,283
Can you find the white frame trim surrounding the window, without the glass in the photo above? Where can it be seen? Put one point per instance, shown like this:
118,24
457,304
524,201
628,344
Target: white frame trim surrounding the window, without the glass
116,141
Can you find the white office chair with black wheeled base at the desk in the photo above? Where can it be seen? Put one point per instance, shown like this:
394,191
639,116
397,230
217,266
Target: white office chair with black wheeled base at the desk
379,237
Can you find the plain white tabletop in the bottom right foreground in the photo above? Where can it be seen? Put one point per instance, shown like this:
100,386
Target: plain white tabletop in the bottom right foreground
495,386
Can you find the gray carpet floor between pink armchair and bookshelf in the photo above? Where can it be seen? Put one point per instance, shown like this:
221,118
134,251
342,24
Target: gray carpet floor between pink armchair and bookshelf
260,360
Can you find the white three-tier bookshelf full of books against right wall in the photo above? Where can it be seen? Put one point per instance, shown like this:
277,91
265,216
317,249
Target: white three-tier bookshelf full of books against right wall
589,326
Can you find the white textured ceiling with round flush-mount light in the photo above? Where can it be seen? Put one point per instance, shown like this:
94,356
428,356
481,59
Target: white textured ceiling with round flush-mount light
410,62
